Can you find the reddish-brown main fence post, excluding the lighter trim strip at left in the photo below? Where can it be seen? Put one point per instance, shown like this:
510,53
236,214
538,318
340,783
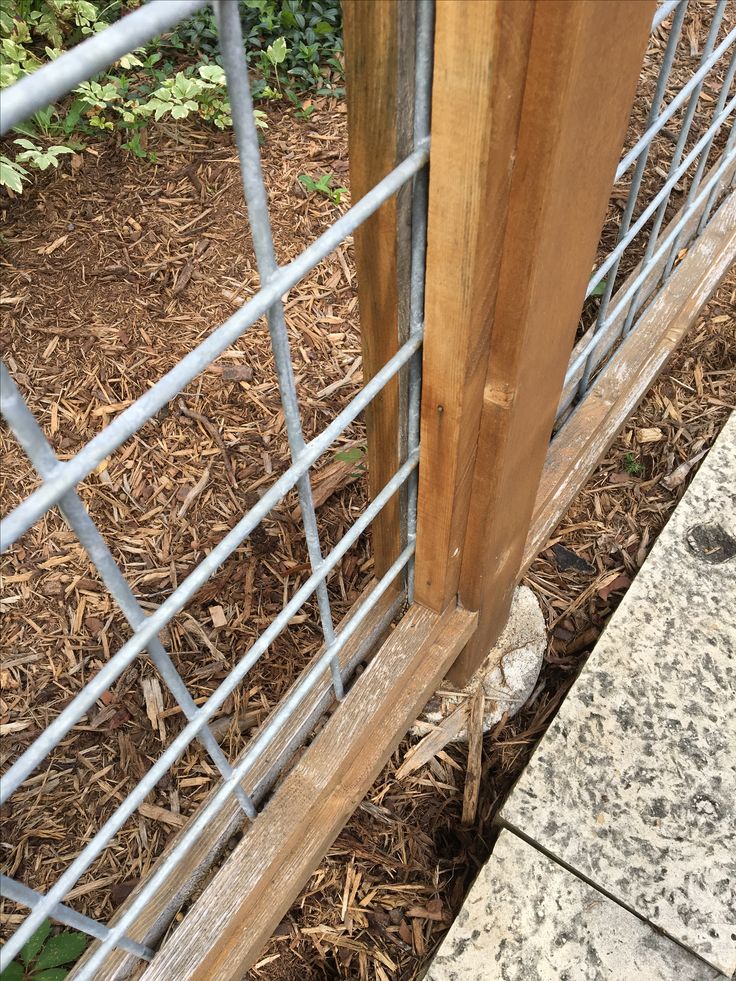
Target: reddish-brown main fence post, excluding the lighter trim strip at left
578,94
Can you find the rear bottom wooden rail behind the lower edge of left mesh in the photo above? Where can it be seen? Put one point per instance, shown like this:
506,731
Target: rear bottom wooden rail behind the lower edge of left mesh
151,924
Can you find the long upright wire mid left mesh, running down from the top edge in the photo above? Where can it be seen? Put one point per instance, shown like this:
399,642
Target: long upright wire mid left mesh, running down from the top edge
246,138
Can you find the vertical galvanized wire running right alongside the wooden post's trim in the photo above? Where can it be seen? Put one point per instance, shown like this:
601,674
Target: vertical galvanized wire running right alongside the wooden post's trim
419,205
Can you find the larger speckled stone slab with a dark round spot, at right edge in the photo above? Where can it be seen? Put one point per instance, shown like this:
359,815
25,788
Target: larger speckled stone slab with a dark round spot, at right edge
634,785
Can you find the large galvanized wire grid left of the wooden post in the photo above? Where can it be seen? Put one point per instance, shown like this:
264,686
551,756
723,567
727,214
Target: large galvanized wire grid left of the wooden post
60,480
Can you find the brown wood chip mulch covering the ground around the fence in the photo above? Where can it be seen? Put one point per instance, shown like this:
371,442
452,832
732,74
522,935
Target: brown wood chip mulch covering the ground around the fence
111,271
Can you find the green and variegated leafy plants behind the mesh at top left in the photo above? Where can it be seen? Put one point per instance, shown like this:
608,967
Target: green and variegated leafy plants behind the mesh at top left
292,46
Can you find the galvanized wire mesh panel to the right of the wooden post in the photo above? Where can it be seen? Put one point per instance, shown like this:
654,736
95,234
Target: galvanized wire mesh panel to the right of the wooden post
677,164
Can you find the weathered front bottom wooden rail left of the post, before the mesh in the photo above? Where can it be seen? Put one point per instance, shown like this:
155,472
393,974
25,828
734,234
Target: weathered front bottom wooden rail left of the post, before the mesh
224,932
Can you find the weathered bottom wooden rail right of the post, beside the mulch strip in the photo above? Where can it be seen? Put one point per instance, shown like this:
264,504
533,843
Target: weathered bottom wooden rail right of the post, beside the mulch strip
586,436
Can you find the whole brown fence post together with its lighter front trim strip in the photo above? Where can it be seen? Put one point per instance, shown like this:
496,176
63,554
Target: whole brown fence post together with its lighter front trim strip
530,105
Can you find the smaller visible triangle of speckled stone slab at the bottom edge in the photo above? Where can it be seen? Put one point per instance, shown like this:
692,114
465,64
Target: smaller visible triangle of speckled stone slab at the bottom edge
528,919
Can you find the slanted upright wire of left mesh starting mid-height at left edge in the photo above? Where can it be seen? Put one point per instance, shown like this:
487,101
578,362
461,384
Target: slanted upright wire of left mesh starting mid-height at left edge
37,448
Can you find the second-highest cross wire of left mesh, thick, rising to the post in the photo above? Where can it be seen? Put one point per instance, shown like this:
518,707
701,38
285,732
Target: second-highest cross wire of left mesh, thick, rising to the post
144,408
